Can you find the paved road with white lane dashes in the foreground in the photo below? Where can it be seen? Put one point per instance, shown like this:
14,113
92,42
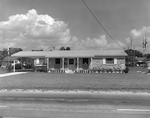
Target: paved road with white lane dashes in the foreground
46,107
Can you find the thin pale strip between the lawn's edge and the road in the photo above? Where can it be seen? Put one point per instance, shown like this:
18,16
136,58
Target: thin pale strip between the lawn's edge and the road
57,91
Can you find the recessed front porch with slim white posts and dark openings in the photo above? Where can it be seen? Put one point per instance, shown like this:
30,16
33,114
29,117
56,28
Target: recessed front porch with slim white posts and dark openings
63,64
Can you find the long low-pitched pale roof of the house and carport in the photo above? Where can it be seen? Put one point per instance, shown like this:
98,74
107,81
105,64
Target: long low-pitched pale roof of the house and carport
70,53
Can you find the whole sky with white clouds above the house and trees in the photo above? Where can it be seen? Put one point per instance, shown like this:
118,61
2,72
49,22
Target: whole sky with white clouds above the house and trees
44,24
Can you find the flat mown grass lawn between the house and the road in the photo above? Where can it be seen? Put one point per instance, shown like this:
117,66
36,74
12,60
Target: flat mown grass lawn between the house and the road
126,82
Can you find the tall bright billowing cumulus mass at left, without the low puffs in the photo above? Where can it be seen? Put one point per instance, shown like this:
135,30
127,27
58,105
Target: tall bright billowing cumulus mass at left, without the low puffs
32,30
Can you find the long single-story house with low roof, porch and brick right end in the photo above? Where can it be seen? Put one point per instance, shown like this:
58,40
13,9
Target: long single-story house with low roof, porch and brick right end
75,60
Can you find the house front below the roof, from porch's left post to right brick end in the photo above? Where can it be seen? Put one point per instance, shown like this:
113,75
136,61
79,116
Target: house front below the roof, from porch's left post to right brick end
84,65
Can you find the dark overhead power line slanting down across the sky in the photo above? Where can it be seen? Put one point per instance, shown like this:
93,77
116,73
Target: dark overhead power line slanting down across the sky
101,25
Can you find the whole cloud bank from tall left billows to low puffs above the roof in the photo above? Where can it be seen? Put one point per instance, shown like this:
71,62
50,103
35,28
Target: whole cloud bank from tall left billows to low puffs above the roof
35,31
